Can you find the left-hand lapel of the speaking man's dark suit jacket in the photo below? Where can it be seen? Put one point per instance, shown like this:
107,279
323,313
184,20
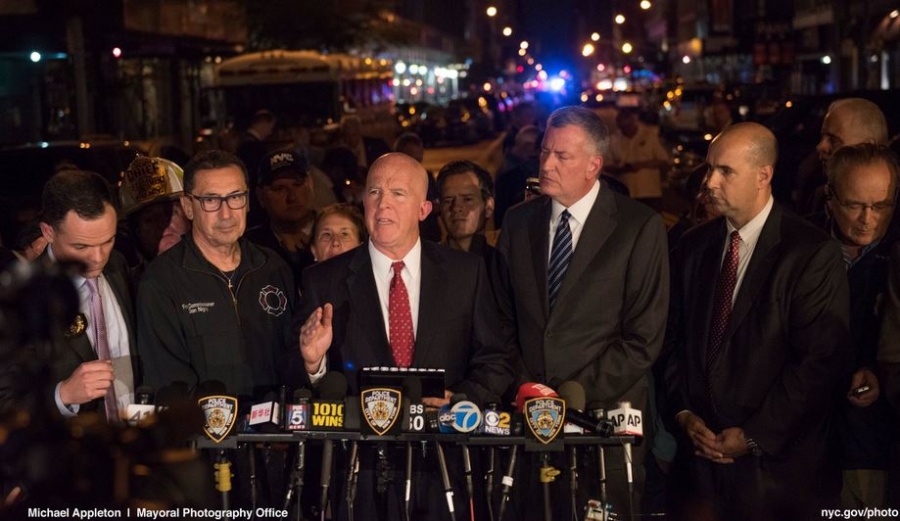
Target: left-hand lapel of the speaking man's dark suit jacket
366,307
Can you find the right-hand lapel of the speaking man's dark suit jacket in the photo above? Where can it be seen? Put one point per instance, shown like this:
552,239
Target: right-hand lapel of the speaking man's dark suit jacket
434,280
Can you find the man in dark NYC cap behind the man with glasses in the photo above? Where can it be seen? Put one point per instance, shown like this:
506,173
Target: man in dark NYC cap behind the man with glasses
285,193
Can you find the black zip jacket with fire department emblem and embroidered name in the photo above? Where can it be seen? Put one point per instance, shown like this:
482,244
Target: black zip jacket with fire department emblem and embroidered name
193,326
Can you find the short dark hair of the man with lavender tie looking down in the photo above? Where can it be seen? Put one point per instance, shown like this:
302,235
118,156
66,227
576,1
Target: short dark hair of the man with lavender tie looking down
85,193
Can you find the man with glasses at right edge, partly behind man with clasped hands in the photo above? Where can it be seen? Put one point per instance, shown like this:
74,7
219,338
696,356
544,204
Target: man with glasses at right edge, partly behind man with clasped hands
859,198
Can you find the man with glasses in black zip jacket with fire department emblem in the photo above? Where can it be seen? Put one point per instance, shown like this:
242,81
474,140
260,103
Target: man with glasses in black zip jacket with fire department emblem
215,306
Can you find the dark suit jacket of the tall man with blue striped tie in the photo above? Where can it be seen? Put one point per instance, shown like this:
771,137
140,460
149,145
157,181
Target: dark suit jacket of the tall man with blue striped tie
608,323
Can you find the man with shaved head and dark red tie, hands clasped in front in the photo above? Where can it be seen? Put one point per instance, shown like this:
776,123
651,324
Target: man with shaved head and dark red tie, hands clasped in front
759,340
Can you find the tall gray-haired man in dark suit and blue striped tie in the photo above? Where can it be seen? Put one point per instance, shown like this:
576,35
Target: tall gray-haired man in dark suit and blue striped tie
582,283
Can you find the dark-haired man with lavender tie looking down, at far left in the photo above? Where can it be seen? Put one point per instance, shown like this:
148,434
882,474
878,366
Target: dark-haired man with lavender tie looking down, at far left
96,369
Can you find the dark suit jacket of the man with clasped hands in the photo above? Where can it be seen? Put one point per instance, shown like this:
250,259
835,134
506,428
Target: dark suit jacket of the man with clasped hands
785,347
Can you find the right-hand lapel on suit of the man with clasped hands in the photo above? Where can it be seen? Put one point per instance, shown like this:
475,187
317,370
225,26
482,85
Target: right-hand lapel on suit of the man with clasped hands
761,263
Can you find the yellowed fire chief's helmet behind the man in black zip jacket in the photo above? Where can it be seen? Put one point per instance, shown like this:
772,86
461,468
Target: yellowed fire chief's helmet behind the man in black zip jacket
149,180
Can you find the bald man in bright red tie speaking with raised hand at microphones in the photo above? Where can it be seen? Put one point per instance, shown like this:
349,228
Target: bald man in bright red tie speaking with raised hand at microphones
402,302
